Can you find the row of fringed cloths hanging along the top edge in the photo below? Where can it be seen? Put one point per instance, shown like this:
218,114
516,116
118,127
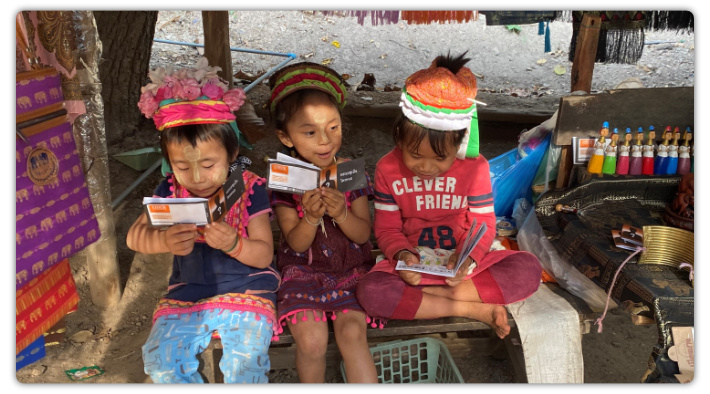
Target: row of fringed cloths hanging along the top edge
621,34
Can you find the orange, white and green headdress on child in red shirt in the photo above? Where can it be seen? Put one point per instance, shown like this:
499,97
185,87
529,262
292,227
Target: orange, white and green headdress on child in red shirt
438,99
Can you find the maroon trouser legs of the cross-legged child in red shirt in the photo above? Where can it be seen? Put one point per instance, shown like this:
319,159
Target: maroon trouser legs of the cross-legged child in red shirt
509,277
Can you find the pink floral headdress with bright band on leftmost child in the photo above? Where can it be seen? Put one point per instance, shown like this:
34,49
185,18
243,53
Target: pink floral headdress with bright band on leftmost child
190,96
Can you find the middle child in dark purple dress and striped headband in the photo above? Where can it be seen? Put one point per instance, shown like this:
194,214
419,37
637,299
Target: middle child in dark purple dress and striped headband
324,247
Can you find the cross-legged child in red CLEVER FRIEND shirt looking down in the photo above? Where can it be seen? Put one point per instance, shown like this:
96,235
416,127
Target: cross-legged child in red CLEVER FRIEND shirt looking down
428,191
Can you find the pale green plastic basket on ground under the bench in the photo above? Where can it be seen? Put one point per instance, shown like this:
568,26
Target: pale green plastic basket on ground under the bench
422,360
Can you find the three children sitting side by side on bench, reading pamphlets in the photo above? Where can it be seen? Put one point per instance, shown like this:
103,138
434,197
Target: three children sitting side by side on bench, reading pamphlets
428,191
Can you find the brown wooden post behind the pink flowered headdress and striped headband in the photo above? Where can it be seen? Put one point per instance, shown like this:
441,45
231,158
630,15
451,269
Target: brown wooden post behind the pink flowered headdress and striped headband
217,52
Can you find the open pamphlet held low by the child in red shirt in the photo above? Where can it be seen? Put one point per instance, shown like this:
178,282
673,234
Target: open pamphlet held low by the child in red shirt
433,261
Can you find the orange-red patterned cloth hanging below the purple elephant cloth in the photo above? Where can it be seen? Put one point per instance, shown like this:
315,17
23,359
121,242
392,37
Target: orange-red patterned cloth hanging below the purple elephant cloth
44,301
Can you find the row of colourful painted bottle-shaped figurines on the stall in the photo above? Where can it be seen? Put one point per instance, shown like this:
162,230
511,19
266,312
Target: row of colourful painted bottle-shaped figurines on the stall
638,159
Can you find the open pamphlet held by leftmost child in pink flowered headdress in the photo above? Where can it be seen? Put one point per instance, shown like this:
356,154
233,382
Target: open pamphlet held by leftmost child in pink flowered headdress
200,211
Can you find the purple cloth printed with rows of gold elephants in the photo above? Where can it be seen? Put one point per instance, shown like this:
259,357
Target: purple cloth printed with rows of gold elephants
54,214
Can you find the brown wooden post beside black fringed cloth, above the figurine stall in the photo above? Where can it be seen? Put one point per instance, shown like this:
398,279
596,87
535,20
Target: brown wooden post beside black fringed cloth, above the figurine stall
585,53
